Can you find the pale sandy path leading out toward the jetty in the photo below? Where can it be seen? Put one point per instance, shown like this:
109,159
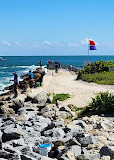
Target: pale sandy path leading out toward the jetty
65,82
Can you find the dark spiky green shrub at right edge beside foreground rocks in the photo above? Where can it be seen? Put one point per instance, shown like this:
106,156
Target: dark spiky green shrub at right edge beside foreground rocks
102,104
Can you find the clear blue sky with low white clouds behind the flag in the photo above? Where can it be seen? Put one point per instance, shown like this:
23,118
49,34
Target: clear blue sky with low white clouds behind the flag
56,27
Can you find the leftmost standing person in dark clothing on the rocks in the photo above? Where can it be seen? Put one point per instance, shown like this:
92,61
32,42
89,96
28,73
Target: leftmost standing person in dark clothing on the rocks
16,83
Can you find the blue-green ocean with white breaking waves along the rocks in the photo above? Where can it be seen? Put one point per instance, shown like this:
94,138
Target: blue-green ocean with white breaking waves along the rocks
22,64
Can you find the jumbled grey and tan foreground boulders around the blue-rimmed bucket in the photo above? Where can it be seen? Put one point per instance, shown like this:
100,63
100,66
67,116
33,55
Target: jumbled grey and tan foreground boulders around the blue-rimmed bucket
25,124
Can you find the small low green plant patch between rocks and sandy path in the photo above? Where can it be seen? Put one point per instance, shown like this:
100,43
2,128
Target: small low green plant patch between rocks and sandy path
60,97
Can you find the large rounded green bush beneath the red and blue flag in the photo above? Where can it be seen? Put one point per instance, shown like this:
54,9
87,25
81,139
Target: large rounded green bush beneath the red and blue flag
98,72
